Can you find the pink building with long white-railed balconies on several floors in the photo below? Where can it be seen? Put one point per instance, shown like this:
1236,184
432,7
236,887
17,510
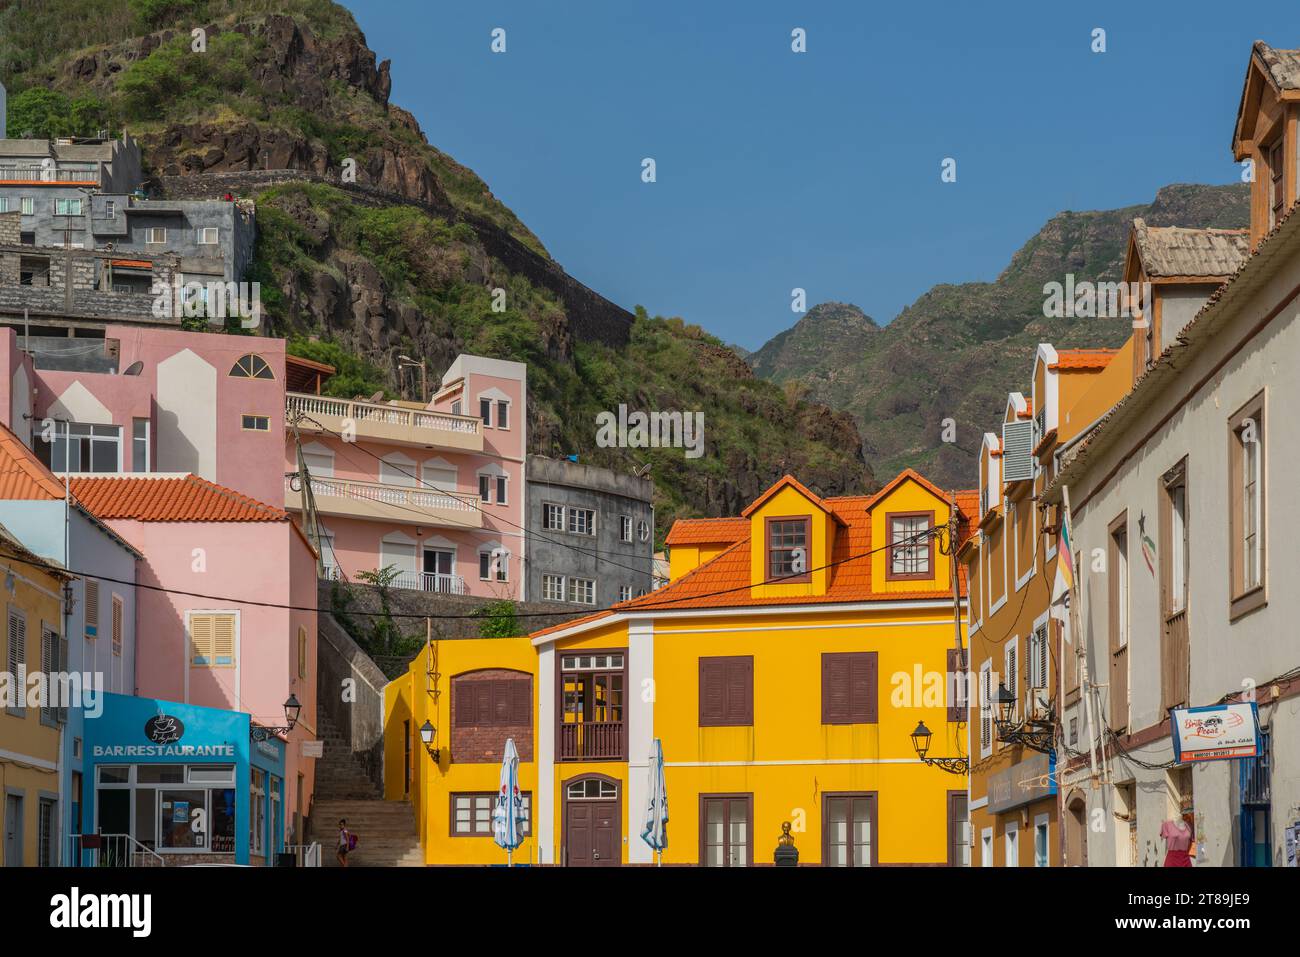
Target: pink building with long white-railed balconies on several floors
434,490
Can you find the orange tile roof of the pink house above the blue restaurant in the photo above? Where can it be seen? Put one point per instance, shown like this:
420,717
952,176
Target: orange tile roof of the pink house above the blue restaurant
170,499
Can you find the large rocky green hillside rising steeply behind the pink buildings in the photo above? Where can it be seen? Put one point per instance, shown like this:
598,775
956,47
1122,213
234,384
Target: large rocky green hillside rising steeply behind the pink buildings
417,257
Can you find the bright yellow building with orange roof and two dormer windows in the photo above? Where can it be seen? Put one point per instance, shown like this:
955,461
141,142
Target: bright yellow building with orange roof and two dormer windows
785,670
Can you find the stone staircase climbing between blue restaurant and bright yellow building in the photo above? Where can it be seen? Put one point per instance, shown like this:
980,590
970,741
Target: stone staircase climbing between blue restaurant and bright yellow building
385,830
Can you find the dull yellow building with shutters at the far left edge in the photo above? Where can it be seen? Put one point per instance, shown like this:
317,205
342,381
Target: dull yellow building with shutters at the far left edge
32,642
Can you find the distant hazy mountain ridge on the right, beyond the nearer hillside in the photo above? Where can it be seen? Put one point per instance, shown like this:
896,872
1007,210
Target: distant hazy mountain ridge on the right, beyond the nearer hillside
960,349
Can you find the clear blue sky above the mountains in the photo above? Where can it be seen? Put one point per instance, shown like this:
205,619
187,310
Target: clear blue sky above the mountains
821,170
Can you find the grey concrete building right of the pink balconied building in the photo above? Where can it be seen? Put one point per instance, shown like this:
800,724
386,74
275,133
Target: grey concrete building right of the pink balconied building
591,534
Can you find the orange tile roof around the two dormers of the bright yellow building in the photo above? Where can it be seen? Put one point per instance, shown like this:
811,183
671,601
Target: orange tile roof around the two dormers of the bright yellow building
725,581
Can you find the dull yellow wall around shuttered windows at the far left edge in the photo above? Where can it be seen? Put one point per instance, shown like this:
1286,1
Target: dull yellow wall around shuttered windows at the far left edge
37,599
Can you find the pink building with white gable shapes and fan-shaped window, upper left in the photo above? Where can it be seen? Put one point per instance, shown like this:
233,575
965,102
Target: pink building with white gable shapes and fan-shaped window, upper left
150,401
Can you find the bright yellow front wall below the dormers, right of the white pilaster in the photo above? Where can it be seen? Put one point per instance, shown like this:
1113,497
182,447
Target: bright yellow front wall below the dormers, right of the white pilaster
801,752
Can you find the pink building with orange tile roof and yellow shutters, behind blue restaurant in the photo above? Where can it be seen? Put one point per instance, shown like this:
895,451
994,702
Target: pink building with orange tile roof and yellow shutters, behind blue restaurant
226,605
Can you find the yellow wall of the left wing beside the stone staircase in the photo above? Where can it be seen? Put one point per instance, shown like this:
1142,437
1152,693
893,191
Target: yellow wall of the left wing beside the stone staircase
432,786
